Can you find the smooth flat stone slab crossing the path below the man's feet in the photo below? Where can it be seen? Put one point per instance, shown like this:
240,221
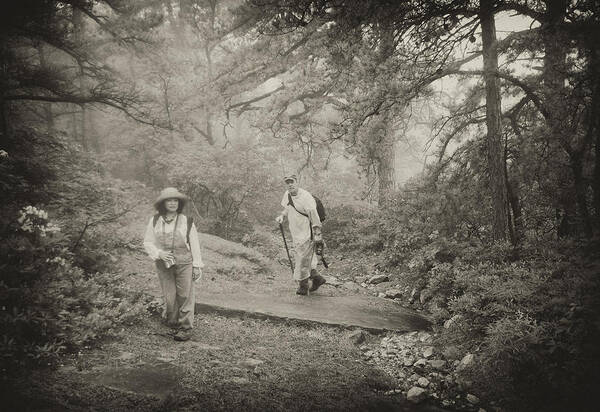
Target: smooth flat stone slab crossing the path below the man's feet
367,312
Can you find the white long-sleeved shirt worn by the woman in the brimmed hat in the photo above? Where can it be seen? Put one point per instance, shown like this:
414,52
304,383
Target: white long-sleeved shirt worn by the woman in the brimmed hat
153,247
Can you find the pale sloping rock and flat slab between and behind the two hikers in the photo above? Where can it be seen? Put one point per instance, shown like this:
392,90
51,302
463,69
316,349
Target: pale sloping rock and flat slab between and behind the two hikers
240,281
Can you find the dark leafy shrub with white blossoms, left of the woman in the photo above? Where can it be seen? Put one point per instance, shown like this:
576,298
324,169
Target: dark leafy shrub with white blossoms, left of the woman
49,305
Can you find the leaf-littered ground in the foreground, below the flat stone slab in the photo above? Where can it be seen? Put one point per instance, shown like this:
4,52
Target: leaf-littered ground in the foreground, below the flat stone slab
230,364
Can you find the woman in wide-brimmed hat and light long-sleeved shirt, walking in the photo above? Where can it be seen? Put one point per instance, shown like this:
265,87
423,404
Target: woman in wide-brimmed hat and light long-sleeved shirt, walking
171,241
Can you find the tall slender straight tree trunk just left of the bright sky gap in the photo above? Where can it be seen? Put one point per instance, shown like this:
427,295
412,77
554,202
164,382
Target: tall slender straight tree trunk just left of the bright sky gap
495,158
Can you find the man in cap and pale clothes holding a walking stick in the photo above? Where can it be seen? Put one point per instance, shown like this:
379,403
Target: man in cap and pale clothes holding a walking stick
300,209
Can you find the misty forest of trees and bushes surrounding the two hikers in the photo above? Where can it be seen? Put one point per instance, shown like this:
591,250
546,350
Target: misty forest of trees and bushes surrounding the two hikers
454,144
